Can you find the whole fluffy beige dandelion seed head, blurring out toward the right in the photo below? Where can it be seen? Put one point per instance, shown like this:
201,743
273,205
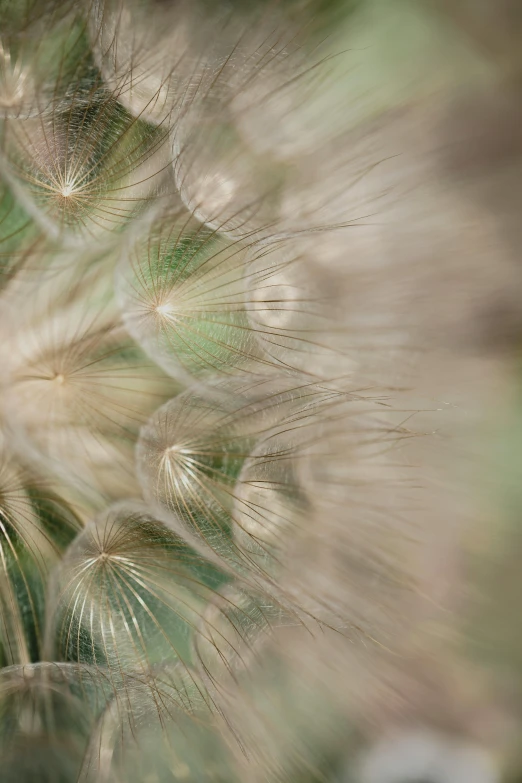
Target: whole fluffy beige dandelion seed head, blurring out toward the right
212,155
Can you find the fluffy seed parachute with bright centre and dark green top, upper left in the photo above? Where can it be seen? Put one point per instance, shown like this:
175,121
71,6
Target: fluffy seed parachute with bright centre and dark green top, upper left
87,167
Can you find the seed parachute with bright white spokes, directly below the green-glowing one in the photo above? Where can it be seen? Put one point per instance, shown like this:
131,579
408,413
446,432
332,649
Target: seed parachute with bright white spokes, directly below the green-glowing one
191,453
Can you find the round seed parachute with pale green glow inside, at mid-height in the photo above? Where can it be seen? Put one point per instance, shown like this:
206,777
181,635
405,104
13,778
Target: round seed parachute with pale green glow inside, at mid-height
183,299
